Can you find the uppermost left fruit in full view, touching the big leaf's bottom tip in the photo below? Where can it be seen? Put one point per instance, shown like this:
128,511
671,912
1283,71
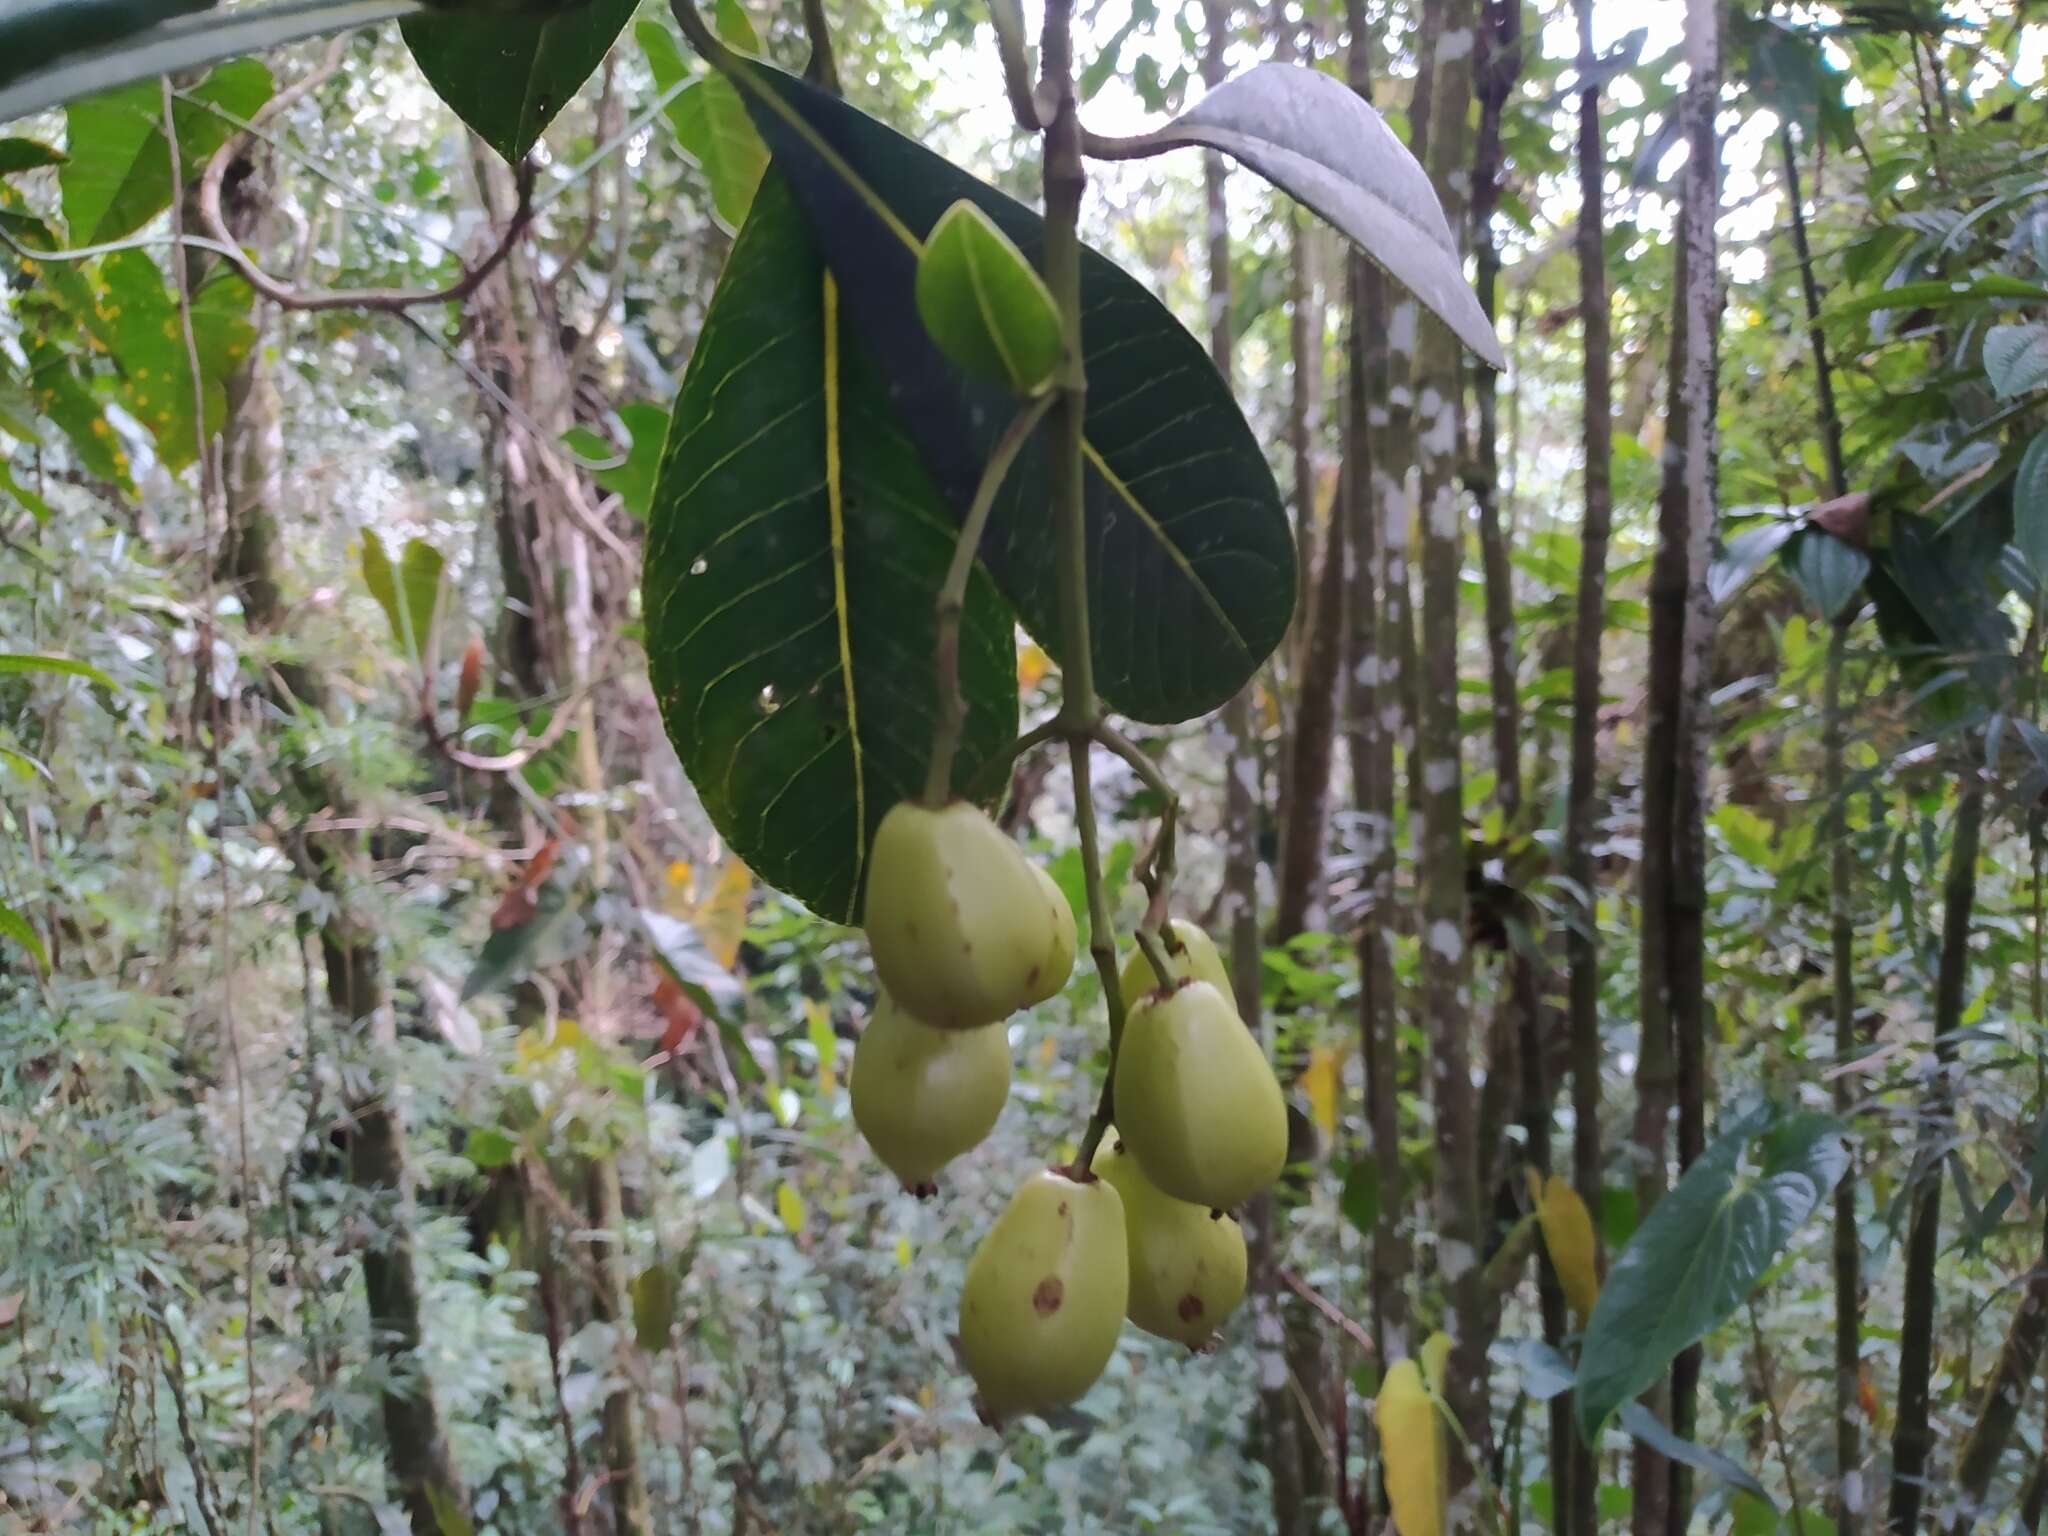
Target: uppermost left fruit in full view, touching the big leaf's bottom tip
957,921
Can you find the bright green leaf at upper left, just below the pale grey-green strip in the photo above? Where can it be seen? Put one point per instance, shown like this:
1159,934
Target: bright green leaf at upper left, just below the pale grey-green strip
120,171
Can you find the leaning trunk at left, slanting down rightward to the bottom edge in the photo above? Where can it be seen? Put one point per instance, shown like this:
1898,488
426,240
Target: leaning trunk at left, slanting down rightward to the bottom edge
417,1451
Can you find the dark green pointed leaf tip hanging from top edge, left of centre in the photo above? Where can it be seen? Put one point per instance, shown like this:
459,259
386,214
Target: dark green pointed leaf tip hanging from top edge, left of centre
507,73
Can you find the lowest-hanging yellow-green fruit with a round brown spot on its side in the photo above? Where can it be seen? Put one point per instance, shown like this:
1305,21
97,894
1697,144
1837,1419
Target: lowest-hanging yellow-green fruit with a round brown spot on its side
1046,1295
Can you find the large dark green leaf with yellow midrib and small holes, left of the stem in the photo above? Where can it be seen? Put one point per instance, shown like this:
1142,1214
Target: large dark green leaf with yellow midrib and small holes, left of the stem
796,550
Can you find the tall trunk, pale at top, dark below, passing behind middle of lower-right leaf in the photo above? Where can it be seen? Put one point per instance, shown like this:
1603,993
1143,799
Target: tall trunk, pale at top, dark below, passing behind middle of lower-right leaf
1687,955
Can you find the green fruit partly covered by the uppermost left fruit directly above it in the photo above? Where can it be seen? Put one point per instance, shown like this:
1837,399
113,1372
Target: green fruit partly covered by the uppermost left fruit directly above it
923,1097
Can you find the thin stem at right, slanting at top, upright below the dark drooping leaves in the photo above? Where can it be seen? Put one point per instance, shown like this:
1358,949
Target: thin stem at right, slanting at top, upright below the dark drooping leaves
1846,1498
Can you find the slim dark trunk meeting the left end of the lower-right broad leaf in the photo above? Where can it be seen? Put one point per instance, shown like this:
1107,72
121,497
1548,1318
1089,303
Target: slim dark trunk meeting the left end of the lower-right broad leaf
1578,1498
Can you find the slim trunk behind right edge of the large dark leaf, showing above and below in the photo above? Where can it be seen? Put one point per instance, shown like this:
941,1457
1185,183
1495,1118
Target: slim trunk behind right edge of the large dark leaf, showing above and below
1242,890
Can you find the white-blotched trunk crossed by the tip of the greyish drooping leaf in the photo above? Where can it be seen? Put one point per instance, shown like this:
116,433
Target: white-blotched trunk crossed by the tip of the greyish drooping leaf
1437,796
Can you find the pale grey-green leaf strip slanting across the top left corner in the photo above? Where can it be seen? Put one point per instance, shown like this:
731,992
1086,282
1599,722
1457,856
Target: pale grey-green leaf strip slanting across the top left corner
179,46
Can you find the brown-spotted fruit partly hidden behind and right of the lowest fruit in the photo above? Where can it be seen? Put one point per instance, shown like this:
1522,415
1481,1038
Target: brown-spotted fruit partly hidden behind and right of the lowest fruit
1187,1263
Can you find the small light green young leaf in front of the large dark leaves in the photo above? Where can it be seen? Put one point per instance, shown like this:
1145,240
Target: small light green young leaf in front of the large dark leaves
984,304
